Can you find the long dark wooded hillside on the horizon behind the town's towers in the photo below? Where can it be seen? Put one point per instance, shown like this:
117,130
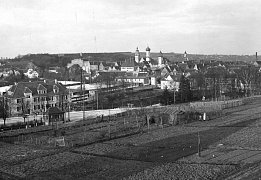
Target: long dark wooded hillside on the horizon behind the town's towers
49,60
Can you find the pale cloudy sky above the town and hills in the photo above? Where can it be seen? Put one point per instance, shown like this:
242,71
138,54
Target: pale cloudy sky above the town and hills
89,26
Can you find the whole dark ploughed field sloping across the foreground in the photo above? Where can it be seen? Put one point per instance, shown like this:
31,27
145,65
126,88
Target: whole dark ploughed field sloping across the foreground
228,145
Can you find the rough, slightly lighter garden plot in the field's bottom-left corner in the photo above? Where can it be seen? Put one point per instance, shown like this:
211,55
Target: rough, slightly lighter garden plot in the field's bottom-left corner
43,164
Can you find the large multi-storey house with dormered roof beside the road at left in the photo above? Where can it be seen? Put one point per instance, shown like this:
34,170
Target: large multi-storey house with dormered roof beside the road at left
36,97
